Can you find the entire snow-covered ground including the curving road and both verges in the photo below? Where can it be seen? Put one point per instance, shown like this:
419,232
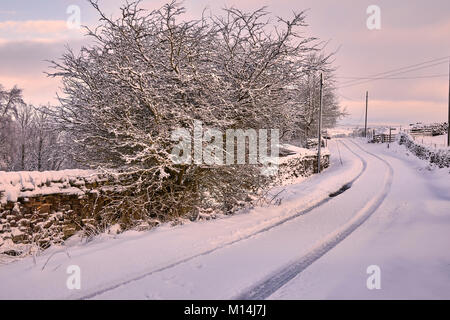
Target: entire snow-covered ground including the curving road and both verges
396,214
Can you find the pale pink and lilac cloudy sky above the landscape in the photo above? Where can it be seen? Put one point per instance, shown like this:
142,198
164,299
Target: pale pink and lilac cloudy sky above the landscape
412,31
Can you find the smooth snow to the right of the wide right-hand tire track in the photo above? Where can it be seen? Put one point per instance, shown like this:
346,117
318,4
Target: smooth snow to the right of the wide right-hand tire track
408,238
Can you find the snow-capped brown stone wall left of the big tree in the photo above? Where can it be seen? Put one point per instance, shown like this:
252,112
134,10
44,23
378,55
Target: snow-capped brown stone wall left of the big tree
45,207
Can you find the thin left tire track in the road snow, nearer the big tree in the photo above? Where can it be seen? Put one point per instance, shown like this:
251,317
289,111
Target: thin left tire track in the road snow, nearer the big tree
265,229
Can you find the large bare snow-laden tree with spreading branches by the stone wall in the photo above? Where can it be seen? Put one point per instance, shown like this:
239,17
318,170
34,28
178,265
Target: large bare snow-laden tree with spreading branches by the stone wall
149,73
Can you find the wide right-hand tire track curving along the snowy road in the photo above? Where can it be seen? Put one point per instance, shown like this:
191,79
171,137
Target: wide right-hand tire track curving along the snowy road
276,280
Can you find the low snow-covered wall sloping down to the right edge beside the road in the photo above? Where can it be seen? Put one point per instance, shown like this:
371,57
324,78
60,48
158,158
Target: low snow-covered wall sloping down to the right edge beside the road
441,157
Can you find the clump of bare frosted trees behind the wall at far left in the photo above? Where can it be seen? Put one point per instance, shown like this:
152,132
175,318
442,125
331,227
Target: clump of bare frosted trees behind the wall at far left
29,137
